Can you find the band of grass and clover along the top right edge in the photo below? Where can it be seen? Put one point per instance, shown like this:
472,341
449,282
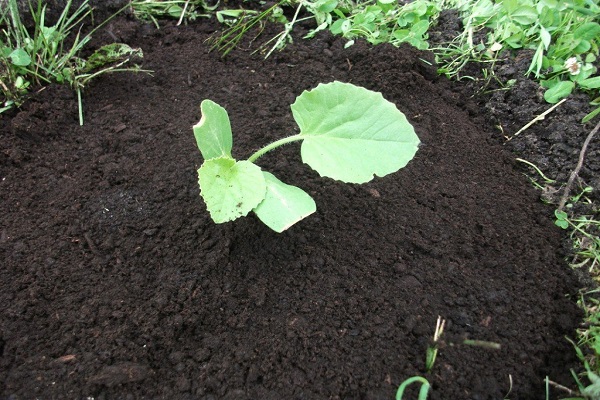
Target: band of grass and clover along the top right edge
562,36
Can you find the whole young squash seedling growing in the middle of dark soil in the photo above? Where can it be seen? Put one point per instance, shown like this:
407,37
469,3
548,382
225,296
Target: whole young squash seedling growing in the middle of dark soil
348,133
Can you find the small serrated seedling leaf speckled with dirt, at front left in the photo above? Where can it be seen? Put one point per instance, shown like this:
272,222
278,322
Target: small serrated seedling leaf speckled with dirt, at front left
230,189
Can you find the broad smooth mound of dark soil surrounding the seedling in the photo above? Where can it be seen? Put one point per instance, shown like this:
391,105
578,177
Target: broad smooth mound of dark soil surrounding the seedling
116,284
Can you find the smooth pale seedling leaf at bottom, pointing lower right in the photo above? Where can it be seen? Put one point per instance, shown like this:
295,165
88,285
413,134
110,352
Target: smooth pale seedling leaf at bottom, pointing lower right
283,205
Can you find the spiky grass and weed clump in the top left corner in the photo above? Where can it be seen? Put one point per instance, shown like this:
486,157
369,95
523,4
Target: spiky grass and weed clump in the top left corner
51,55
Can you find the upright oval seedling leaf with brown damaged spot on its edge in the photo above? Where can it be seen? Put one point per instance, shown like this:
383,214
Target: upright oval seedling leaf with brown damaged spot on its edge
213,132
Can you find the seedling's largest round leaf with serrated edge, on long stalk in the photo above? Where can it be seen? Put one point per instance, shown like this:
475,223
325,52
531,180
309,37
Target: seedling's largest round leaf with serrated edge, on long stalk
351,133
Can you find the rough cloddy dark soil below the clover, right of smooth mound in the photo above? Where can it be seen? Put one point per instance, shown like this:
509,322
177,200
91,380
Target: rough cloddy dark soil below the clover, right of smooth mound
552,144
